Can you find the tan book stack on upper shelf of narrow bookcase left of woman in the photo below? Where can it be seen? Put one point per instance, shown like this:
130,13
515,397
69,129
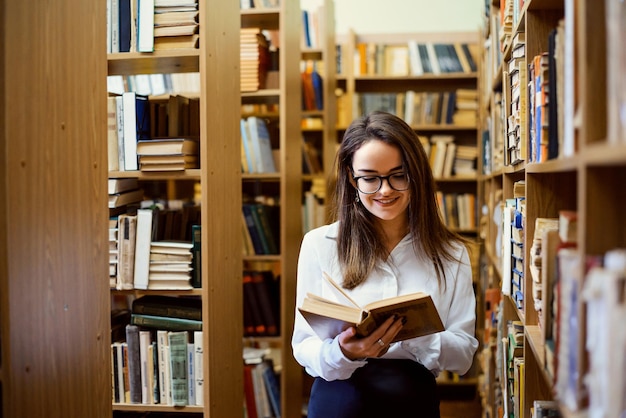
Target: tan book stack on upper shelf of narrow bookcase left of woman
254,59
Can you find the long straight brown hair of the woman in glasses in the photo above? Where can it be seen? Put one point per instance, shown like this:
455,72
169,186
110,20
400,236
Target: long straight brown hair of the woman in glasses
359,243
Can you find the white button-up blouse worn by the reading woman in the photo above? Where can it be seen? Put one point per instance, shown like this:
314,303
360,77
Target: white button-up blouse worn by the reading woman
404,272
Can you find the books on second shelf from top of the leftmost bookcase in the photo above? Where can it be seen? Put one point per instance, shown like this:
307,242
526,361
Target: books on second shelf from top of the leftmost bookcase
152,135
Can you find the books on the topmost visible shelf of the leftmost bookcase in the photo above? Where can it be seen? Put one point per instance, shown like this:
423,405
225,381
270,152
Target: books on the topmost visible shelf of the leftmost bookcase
149,25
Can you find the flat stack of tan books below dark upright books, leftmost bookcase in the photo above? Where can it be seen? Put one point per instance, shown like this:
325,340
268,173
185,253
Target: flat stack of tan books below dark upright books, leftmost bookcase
168,154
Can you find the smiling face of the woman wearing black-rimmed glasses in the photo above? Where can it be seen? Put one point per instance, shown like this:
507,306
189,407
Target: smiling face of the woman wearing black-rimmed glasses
377,158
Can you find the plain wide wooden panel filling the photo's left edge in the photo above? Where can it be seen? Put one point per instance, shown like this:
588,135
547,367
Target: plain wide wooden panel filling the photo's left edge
54,322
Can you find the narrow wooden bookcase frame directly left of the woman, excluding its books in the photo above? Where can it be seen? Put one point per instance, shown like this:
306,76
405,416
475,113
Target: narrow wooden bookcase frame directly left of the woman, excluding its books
286,186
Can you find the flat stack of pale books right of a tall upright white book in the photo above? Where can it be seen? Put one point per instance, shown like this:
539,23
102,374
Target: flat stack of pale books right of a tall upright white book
170,265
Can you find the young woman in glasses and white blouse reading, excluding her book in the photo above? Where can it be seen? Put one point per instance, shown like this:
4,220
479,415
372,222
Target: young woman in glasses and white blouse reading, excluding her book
388,240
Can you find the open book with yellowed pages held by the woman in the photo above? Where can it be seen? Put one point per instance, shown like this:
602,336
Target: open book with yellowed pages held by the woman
328,318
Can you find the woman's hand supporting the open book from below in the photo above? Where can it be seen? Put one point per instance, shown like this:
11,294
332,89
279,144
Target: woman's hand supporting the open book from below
374,345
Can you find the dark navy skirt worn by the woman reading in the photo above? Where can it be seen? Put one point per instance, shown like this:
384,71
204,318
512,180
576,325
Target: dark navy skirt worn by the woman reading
382,388
